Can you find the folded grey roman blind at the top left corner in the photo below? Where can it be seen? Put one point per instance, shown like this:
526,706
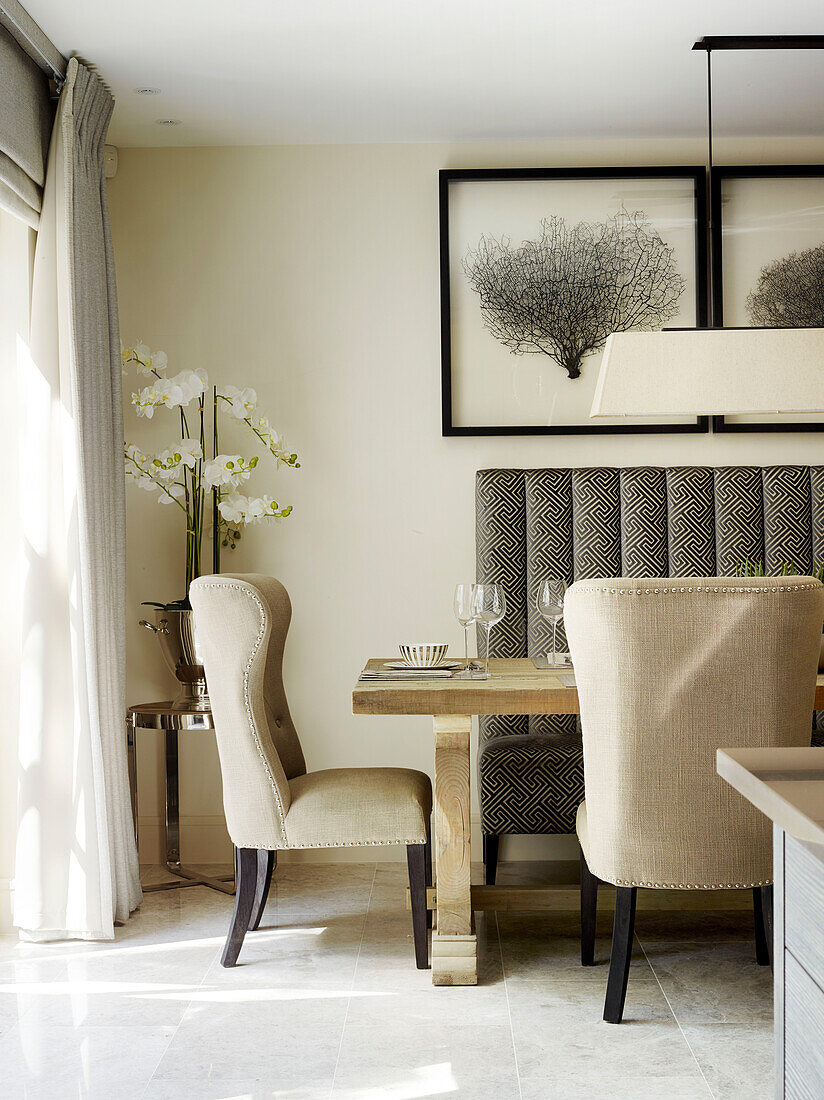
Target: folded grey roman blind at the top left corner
26,122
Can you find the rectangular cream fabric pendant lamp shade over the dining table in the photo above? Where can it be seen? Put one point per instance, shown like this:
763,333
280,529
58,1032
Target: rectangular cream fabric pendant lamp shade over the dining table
706,372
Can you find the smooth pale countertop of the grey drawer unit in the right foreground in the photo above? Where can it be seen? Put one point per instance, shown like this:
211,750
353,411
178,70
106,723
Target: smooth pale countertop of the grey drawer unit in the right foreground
786,785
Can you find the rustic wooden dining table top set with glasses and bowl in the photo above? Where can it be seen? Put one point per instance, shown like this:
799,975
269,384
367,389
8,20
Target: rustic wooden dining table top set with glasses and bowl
515,687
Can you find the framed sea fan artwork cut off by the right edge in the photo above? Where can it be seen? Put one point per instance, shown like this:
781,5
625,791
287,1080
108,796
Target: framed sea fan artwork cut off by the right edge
768,262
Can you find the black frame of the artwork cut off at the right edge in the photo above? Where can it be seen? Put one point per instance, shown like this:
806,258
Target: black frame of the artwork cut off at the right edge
720,174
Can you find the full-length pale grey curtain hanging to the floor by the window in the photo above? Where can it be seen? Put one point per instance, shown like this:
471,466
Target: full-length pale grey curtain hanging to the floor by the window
76,868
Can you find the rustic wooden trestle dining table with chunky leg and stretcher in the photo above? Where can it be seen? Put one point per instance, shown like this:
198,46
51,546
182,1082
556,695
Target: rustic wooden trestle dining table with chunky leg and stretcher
515,687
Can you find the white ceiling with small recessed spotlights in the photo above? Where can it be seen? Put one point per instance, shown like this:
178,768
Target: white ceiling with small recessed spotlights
270,72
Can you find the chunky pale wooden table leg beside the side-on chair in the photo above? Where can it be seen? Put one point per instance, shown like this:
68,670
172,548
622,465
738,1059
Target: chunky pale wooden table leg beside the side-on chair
455,949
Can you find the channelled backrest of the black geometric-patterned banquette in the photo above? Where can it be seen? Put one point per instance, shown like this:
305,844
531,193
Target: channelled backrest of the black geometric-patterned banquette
633,522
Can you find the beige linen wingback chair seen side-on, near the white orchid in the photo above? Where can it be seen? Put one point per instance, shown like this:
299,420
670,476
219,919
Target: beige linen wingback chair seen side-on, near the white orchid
270,800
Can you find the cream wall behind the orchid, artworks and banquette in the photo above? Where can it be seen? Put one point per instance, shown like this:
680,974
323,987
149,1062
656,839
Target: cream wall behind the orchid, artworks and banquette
311,273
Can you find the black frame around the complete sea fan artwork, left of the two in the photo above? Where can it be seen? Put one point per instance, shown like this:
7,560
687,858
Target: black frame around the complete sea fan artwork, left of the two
449,177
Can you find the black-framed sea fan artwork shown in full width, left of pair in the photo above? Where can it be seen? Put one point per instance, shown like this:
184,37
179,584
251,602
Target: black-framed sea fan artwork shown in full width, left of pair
539,267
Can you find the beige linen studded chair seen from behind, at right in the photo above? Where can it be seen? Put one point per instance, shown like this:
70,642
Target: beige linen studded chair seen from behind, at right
668,672
